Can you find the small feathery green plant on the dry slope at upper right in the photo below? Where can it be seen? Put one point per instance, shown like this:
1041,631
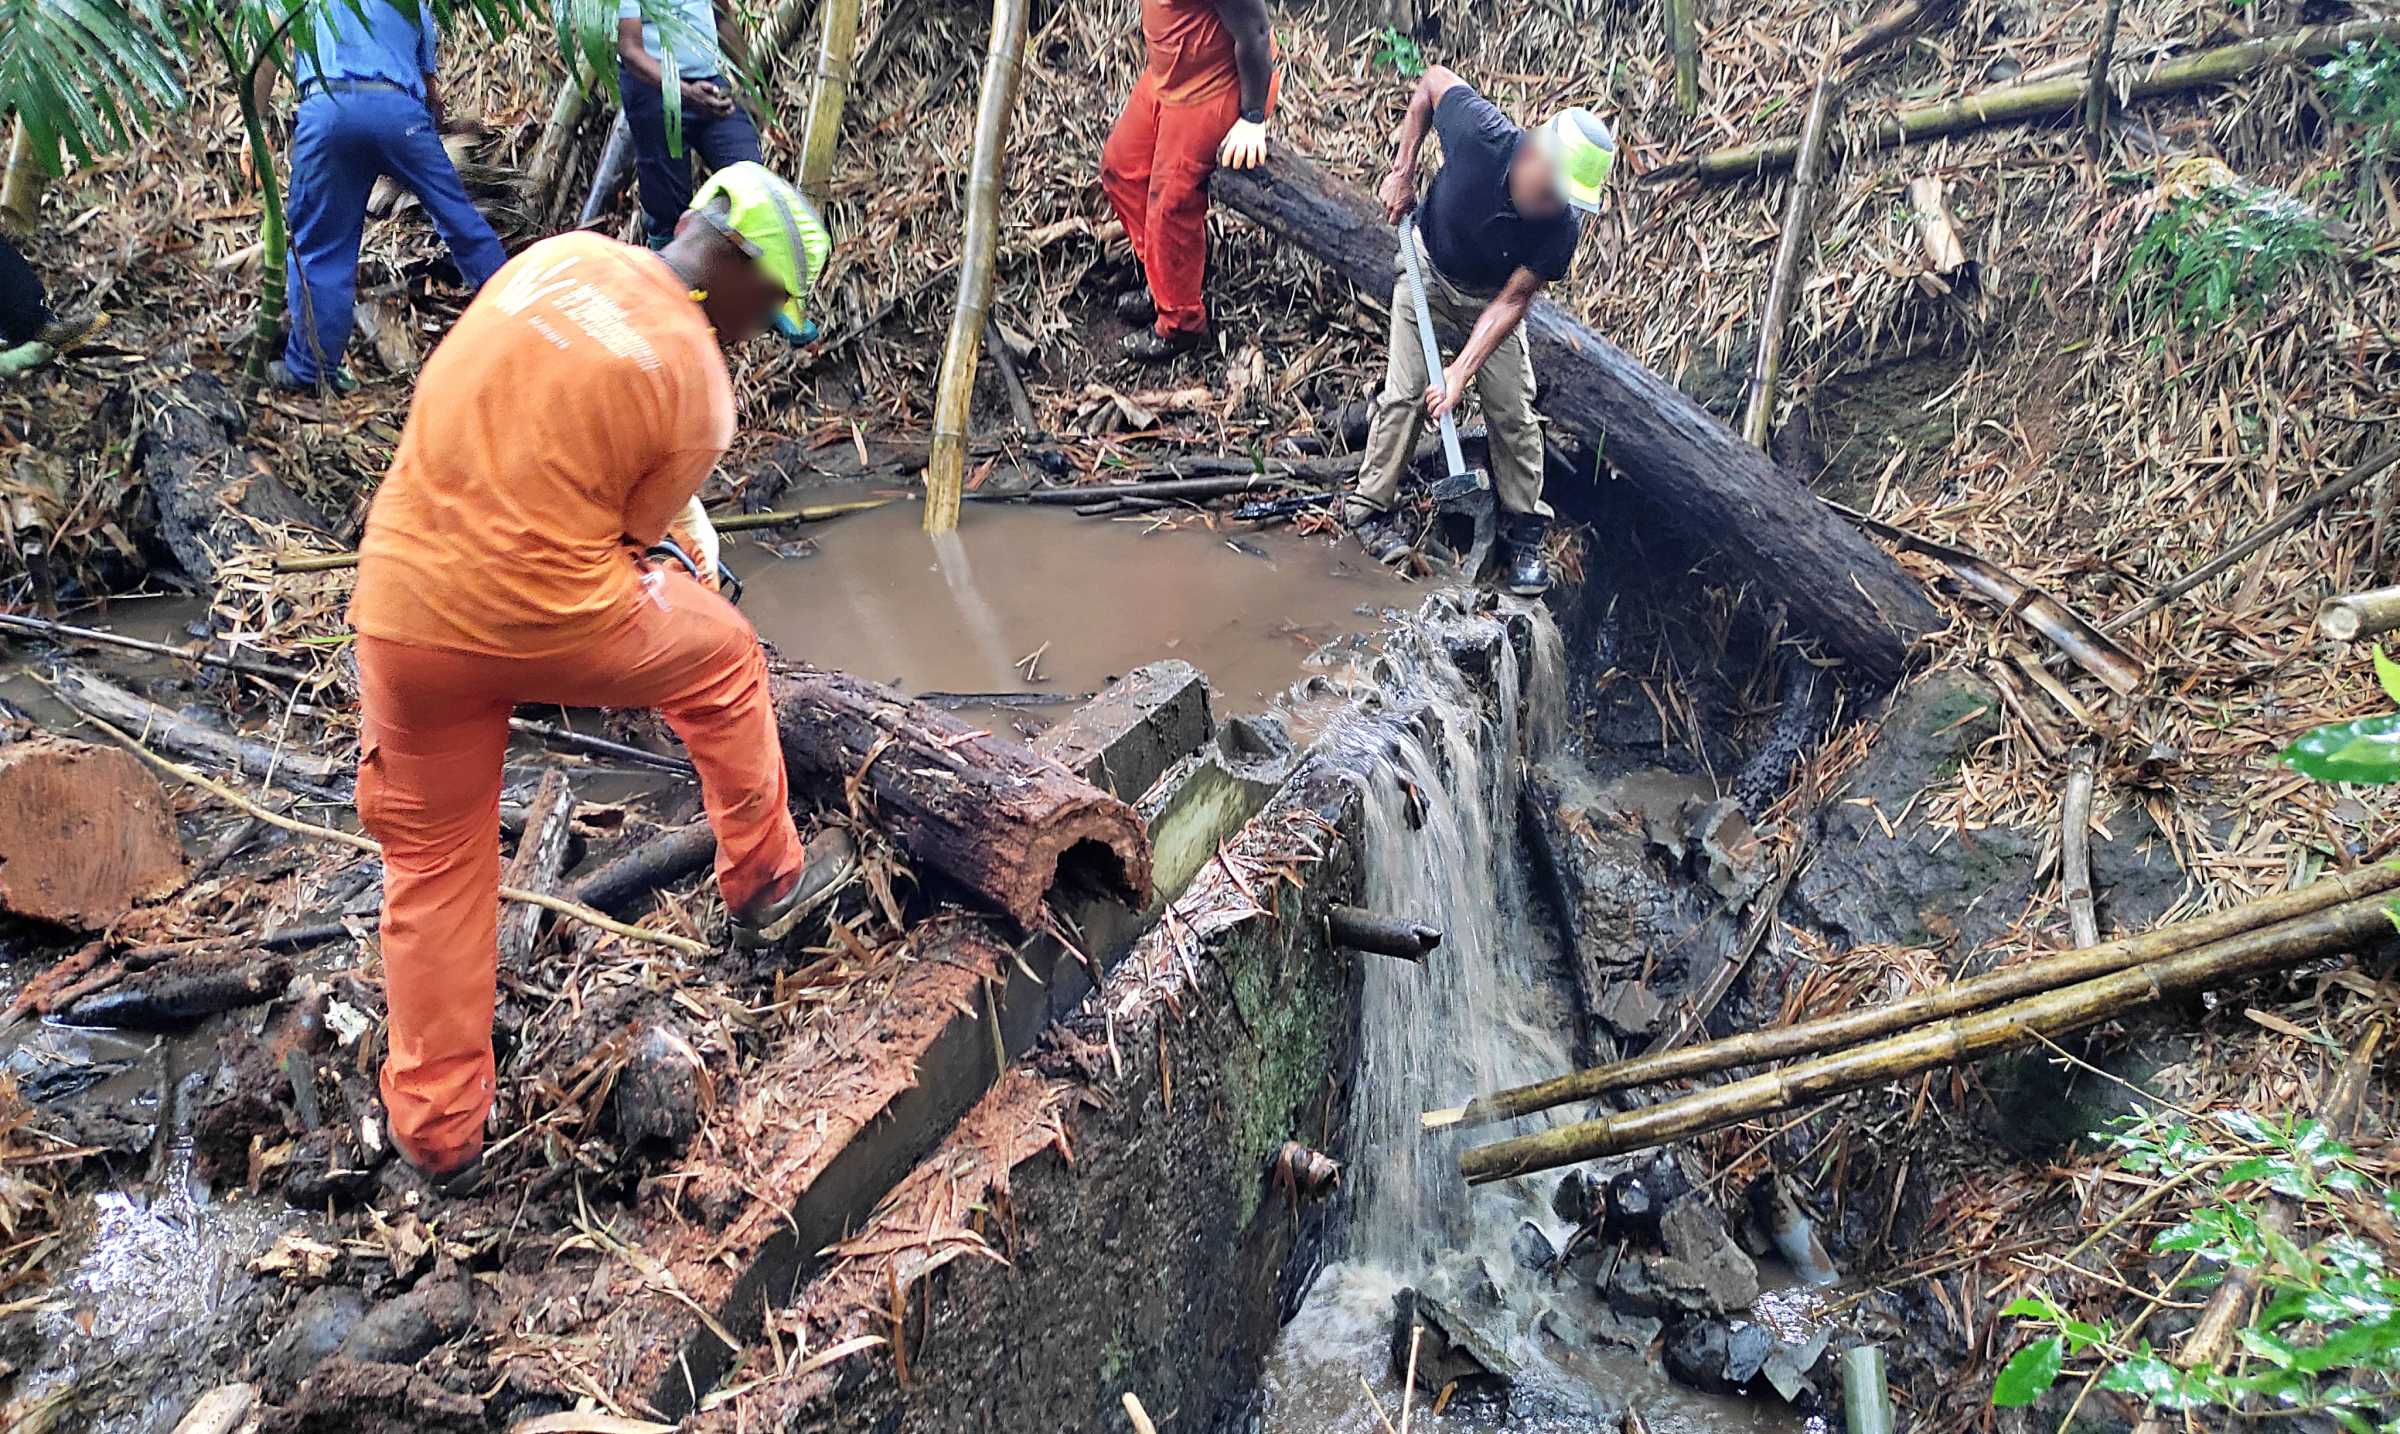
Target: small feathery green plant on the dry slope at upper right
2221,255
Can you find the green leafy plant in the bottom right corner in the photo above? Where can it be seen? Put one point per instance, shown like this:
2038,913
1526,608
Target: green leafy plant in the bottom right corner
2327,1334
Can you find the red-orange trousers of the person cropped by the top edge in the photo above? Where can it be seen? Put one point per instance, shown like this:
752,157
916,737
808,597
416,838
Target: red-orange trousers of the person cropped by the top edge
1156,169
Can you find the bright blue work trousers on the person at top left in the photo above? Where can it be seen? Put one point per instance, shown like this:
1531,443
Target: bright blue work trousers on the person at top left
342,143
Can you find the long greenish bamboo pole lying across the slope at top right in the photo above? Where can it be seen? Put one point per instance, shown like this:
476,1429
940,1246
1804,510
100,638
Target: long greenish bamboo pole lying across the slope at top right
2048,100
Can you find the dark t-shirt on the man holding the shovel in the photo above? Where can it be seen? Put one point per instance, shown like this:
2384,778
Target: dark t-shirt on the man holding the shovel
1470,224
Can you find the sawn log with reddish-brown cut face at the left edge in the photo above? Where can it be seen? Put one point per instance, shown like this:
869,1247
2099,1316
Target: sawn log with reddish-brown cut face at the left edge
85,833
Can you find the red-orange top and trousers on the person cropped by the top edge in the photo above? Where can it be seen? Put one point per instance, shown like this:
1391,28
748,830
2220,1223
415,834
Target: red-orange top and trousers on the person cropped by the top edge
1163,150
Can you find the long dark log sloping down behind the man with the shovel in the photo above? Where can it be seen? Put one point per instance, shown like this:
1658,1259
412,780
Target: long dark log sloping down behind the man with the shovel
1727,495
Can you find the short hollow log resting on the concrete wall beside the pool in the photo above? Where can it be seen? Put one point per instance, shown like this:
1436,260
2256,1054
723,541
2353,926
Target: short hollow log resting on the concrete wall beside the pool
978,809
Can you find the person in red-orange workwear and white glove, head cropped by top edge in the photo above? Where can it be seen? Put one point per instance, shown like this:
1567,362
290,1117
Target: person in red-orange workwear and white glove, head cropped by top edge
1201,102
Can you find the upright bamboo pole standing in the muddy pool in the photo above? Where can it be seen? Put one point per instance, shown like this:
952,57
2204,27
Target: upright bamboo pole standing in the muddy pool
947,462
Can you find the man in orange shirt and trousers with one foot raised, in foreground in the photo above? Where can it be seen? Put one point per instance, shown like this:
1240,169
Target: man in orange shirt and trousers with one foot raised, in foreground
560,430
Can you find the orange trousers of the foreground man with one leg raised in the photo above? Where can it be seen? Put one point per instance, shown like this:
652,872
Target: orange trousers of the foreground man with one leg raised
428,790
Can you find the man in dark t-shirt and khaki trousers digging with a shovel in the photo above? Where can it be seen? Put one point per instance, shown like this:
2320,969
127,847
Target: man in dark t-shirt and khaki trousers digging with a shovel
1499,224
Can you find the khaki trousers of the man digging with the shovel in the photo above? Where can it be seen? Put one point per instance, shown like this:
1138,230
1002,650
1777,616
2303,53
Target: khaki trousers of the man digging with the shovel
1398,416
